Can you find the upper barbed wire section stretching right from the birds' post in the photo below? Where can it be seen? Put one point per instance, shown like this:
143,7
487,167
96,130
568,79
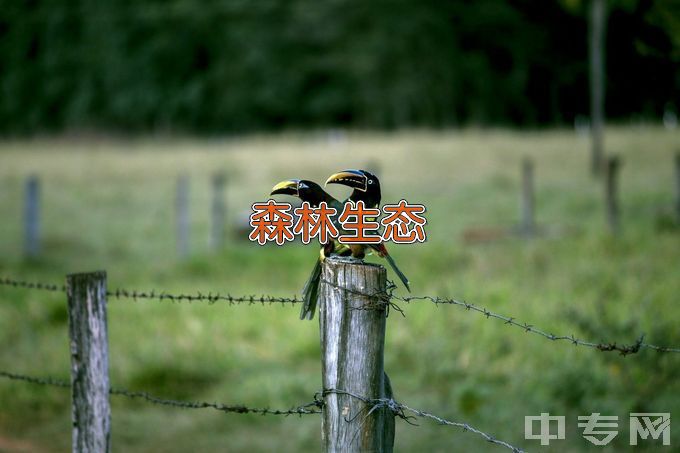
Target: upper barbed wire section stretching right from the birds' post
623,349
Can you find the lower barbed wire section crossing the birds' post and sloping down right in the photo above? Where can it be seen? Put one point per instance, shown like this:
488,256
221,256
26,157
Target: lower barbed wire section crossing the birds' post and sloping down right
400,410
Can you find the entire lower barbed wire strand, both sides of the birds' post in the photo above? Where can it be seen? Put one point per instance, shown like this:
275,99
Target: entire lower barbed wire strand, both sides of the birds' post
315,407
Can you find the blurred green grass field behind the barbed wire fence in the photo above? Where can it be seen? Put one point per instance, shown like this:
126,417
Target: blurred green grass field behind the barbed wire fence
108,204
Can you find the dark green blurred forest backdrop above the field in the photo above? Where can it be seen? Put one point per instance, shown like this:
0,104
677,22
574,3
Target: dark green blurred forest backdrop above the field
229,66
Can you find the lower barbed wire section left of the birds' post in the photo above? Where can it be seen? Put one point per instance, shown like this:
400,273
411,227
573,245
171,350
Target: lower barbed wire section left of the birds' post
310,408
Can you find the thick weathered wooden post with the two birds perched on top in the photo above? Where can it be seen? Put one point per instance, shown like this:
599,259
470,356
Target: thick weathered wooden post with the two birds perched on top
352,327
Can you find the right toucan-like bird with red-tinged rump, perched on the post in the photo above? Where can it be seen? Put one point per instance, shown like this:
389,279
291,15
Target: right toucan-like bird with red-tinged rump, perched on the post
366,188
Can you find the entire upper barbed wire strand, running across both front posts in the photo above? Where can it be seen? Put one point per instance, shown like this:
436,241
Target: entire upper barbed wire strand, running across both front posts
380,298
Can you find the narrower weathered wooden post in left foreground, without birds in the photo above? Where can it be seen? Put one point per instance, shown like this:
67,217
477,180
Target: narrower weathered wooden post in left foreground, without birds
91,414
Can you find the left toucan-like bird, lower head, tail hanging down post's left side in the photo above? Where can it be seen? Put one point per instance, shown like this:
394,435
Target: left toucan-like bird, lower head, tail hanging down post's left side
313,194
